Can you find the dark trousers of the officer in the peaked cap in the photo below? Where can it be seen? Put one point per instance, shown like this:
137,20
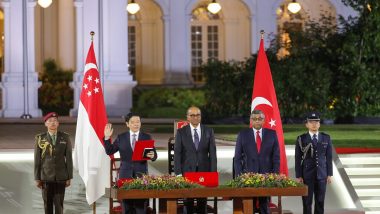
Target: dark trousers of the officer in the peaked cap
316,188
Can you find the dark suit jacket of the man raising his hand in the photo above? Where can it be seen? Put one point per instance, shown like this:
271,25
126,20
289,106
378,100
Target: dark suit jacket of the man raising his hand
128,168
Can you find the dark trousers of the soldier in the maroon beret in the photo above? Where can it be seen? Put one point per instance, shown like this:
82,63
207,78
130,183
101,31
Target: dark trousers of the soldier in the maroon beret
53,194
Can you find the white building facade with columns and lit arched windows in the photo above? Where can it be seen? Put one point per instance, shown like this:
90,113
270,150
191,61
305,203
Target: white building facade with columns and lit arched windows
164,43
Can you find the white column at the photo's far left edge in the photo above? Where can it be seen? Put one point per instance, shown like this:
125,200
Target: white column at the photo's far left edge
13,77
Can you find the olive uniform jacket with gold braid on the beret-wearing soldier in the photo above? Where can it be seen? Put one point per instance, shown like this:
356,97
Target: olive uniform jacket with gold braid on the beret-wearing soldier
54,166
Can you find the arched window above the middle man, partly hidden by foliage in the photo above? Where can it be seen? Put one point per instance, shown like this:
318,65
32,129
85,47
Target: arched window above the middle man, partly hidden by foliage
206,39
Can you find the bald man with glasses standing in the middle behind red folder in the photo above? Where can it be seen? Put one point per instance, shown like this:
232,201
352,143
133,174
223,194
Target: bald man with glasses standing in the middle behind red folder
194,151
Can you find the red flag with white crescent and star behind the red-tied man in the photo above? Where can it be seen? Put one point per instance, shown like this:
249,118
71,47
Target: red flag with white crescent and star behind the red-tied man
264,99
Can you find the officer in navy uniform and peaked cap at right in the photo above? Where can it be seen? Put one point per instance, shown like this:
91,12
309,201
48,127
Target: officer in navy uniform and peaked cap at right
313,163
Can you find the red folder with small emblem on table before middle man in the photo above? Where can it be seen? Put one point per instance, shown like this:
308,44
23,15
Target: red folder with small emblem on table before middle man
208,179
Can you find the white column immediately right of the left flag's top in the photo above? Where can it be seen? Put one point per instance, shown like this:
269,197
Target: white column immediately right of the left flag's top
118,83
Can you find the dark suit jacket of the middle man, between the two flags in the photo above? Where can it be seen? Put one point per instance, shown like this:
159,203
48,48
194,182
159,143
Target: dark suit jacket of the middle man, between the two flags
187,157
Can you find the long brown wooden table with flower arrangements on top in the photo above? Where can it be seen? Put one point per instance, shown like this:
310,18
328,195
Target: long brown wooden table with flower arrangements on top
244,195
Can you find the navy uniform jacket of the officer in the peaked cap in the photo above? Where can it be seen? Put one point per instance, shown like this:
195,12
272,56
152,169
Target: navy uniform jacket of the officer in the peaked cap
320,165
